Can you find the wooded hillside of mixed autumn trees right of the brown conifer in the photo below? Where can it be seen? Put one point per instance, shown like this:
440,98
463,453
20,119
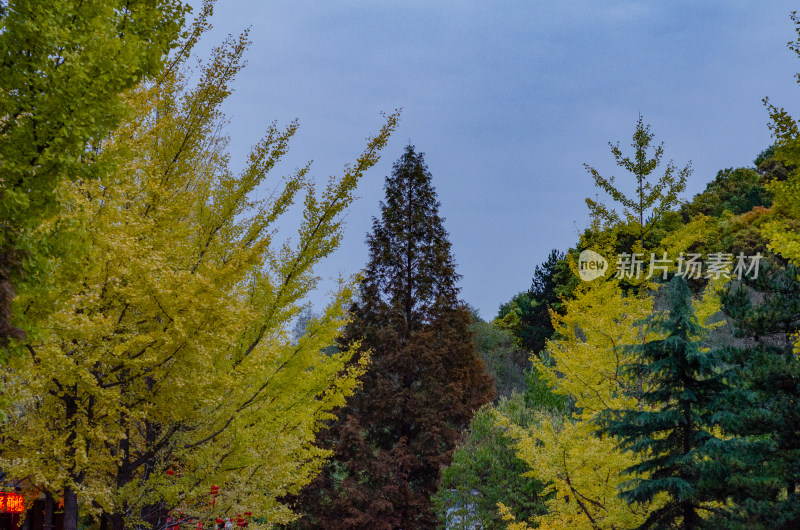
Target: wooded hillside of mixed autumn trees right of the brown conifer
585,339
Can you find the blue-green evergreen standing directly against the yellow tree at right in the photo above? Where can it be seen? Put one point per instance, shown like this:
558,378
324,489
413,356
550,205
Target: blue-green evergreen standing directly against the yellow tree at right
673,429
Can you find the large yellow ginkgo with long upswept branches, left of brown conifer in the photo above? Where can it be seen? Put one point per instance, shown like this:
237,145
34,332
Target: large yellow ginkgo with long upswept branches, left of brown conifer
167,363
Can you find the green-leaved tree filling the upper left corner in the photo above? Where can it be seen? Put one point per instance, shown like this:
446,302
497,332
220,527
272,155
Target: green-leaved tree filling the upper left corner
65,63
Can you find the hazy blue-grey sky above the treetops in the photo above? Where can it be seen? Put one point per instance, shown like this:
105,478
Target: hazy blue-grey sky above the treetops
507,100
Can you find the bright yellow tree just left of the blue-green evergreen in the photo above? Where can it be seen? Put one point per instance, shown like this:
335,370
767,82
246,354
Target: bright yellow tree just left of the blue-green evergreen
584,361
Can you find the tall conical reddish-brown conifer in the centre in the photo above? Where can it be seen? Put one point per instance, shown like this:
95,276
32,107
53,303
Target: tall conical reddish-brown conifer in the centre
426,378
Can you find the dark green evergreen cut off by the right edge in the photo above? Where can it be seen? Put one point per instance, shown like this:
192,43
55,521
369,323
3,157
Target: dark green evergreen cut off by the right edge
760,460
